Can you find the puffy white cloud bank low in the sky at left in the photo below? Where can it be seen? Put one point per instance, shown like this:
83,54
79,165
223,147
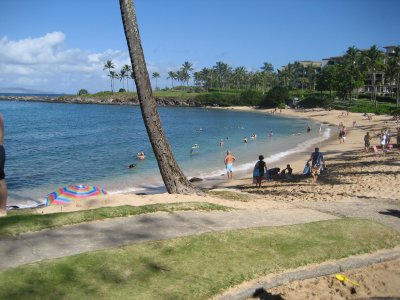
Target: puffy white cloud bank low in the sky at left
45,63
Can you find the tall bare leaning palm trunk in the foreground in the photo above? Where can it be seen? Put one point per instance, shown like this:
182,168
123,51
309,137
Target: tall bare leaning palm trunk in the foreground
174,179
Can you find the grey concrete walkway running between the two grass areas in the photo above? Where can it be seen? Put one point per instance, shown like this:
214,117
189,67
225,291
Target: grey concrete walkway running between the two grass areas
74,239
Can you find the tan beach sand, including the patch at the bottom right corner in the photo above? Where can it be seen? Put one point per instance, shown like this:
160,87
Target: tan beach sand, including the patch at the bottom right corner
352,176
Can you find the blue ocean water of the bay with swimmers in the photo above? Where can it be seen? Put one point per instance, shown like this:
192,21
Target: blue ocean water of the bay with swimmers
51,145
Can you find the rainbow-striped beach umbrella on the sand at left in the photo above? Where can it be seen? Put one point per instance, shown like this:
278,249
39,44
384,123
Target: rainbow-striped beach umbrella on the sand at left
71,193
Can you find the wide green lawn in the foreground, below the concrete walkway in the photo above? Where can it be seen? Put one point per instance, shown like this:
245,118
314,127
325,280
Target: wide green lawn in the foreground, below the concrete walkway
194,267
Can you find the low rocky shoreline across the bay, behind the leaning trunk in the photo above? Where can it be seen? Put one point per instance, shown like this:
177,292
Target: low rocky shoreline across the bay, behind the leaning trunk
108,100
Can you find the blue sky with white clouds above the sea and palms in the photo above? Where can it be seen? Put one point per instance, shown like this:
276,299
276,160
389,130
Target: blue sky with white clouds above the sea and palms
62,45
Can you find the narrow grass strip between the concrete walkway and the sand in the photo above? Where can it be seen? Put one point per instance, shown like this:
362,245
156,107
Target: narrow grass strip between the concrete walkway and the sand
20,221
